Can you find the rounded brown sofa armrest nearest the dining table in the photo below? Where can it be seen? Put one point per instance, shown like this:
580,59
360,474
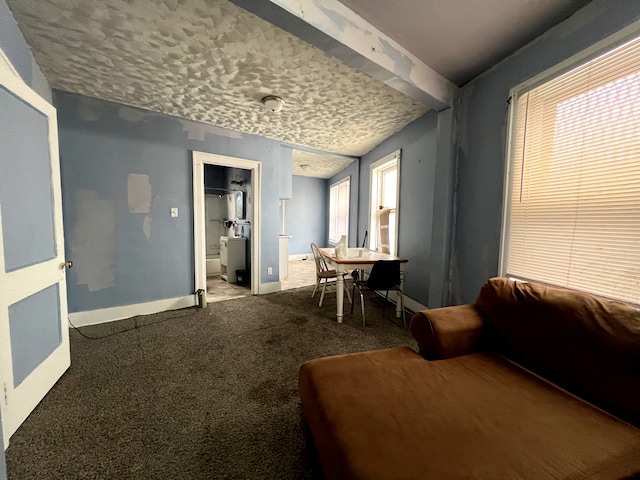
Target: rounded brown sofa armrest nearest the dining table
447,332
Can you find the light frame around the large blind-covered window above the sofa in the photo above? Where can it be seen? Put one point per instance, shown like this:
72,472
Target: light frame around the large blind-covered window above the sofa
598,49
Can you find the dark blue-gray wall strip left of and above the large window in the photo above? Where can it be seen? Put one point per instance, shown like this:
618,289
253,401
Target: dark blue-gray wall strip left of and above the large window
481,140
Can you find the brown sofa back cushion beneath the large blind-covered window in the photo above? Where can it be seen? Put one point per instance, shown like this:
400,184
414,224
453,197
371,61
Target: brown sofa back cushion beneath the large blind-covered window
587,345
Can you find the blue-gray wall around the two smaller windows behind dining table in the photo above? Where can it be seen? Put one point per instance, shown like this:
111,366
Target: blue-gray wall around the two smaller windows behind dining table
426,199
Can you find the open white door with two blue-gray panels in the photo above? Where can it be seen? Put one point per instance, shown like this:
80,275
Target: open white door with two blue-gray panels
34,338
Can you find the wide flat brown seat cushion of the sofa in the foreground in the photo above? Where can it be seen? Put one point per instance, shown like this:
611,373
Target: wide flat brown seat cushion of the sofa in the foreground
391,414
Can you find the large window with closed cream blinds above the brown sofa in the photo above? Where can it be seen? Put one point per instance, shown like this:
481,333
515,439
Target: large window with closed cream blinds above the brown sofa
573,211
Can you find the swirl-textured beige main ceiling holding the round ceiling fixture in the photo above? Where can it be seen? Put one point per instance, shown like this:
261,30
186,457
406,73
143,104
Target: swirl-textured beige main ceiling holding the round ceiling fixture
211,61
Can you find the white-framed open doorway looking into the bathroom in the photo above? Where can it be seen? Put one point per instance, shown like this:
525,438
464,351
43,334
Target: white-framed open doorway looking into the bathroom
226,226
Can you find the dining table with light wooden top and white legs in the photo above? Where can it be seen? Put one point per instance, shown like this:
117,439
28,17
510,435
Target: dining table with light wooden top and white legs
358,259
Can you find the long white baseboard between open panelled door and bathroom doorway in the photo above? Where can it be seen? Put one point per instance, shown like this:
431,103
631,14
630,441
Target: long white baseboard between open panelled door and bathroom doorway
103,315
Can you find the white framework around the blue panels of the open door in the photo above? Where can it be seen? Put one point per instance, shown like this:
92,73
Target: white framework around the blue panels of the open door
17,402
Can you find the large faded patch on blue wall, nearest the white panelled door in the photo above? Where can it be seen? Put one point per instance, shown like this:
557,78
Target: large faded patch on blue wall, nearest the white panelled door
93,241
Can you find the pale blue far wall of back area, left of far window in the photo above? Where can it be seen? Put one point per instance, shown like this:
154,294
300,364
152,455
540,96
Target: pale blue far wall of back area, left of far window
306,214
